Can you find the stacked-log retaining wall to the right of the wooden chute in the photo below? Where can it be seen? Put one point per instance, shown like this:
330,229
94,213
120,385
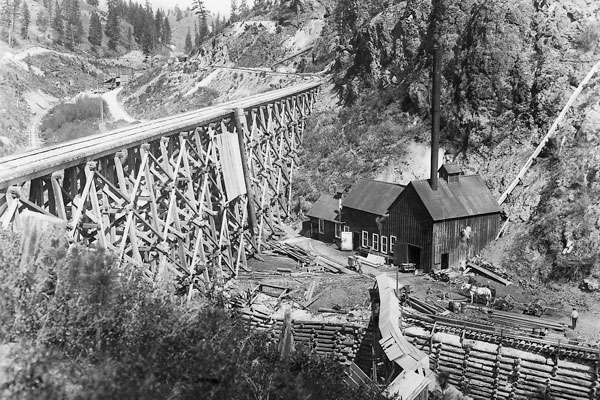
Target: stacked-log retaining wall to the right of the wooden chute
503,372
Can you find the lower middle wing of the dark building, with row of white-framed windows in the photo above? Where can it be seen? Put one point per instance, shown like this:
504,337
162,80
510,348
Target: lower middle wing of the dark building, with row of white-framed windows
365,210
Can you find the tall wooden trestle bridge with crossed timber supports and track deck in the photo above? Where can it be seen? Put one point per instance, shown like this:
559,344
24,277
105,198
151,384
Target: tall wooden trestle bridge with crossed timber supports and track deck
160,193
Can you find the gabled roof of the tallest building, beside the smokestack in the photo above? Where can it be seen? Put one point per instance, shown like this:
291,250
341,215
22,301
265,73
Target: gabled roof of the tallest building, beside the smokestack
469,196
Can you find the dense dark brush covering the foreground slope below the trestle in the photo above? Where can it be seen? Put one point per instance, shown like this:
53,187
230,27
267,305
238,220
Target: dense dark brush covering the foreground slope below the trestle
102,331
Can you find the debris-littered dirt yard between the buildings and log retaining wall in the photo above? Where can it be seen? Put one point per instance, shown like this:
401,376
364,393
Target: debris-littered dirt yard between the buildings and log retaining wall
351,291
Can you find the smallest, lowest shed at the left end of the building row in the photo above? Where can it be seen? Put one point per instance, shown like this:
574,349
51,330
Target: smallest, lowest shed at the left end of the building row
325,224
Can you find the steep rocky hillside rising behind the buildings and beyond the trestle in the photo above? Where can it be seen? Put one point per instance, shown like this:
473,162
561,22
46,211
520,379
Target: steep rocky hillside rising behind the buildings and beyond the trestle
508,69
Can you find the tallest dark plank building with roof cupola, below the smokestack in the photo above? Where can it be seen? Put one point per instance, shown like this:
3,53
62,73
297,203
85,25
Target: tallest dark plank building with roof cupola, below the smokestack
442,228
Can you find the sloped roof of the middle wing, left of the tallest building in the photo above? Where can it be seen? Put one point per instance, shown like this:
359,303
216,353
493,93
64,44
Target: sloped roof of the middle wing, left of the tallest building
372,196
